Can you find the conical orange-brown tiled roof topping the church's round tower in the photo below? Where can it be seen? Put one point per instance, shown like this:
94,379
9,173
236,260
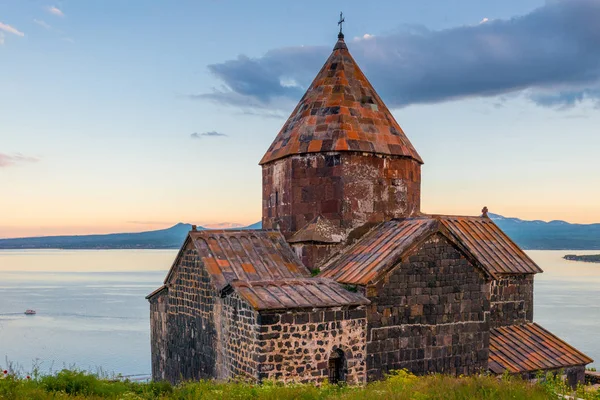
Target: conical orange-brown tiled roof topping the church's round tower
341,111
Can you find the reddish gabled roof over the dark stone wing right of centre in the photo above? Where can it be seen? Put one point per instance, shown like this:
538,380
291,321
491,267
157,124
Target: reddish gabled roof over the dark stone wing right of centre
380,249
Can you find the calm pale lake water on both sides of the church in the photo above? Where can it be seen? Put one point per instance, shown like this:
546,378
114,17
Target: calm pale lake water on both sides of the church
91,311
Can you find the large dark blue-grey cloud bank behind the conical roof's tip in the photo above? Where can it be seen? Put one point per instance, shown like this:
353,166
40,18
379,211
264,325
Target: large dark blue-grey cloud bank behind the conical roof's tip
551,54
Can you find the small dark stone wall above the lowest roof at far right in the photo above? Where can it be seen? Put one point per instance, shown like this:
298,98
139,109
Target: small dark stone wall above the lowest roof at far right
511,300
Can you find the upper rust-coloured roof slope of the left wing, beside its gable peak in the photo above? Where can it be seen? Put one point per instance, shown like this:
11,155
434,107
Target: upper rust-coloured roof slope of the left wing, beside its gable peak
246,255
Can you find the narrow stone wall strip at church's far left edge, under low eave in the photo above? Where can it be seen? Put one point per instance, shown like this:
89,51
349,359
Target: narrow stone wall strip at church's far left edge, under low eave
158,333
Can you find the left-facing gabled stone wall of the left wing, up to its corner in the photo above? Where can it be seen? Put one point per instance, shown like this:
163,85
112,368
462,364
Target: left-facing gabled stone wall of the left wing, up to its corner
208,336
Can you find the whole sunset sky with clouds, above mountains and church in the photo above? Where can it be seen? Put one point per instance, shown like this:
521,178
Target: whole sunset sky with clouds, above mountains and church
123,116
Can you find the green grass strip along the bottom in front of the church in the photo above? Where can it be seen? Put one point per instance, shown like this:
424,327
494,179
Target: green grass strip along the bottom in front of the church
73,384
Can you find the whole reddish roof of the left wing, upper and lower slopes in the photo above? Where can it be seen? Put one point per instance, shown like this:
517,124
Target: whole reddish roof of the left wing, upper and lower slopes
263,269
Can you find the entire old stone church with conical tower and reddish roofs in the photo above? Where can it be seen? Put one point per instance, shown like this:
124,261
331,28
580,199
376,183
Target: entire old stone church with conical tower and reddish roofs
348,279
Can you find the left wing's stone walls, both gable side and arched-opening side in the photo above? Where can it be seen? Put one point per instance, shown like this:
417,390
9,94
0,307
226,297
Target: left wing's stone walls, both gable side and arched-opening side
196,334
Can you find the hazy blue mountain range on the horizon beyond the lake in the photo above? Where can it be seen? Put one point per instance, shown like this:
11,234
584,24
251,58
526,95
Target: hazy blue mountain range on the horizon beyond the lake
531,235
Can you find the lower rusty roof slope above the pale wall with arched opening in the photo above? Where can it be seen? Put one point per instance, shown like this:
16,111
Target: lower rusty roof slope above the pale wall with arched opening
297,293
